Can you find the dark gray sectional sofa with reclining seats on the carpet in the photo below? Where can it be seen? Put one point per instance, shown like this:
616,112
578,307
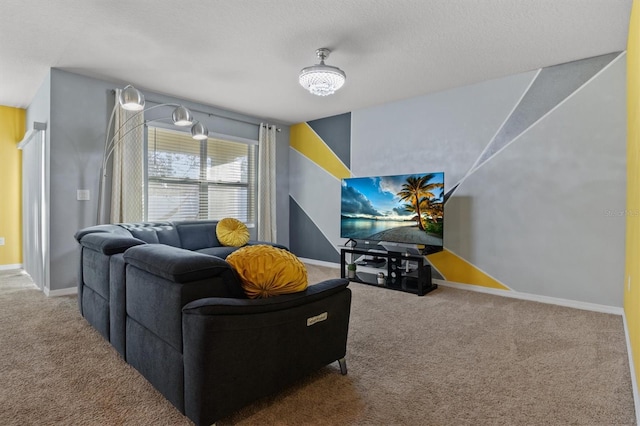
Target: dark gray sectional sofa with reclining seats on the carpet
174,309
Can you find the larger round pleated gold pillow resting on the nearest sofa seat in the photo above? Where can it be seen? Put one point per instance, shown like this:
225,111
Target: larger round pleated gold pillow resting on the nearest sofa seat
267,271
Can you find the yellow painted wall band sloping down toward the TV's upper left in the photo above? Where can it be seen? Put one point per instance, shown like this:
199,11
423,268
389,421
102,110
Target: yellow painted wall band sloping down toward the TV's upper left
304,140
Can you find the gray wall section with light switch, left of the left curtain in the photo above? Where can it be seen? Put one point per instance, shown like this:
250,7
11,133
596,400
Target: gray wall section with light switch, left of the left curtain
79,113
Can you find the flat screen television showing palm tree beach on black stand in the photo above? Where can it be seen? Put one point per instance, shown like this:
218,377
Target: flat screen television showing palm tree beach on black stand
406,211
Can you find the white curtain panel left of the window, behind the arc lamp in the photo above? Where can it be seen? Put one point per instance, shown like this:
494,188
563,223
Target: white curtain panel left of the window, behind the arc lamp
127,182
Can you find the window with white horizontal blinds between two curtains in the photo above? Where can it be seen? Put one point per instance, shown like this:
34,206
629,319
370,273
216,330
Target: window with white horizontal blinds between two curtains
189,179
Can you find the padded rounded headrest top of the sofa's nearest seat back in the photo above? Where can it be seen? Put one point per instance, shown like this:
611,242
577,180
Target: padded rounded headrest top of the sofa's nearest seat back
175,264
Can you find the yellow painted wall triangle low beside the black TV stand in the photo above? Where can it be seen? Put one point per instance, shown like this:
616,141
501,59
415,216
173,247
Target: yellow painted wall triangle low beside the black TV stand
455,269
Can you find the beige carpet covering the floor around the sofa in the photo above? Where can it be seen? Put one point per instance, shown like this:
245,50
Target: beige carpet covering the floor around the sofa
452,357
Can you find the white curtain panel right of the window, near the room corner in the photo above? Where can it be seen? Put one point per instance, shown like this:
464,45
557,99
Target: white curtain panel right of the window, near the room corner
267,183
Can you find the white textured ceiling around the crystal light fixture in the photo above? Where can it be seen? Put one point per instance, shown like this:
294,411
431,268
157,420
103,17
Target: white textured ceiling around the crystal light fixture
245,55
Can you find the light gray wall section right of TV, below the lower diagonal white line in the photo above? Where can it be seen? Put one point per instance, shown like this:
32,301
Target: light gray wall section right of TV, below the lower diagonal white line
543,216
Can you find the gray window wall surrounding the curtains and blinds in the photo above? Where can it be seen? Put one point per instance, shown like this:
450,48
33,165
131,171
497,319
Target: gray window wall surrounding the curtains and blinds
80,109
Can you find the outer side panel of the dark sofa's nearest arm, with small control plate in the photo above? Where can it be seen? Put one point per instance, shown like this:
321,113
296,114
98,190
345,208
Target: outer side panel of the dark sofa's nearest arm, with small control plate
237,351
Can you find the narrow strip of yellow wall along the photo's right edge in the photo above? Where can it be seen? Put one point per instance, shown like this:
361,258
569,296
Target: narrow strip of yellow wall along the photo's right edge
631,283
